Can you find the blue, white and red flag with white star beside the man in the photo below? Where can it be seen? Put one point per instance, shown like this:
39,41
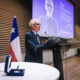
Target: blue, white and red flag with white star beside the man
14,46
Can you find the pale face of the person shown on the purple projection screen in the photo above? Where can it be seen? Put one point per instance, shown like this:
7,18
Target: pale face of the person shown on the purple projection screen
49,7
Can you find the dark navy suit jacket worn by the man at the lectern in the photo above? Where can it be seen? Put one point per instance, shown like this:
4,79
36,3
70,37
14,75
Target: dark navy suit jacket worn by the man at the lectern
33,48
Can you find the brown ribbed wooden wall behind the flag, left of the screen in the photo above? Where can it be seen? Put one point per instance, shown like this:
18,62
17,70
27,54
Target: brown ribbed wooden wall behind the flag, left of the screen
8,9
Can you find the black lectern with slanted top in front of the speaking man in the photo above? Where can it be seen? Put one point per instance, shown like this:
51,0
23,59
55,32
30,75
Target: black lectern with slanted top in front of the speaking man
55,44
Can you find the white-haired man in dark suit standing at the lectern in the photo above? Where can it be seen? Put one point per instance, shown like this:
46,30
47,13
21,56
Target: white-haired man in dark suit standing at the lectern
33,43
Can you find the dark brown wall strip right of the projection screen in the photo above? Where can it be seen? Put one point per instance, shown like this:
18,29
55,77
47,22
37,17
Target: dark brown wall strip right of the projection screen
77,22
